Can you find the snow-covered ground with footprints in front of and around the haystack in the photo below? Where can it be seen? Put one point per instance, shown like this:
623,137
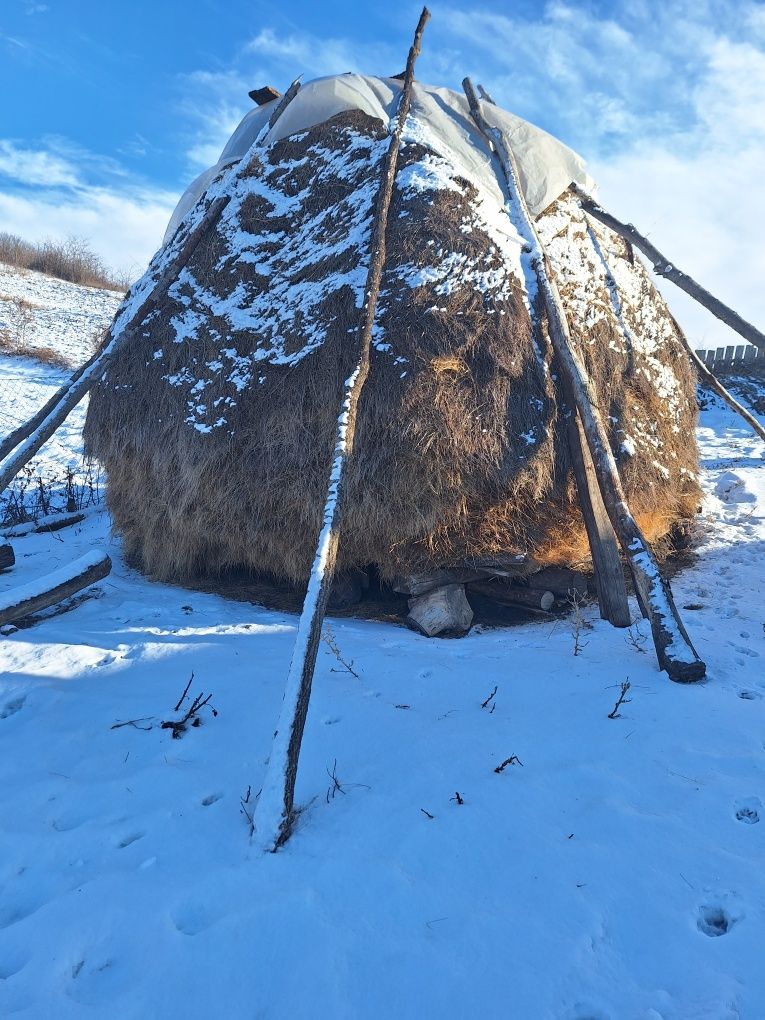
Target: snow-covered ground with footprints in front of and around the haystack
617,874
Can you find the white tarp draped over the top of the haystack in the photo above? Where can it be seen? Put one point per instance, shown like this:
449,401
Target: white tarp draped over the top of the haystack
438,116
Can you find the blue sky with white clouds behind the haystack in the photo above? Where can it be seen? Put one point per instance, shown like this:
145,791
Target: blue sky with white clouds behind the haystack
110,110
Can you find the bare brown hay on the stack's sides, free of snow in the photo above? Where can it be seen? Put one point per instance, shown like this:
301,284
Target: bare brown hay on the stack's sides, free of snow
442,474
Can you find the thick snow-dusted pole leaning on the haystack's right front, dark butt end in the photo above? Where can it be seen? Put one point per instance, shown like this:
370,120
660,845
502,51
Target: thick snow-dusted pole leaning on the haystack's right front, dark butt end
674,649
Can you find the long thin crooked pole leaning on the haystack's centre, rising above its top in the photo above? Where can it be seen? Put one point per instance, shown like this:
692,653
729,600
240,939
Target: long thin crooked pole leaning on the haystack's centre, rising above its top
274,812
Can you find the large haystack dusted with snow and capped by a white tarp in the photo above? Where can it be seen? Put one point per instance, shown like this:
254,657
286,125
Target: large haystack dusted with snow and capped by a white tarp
216,423
